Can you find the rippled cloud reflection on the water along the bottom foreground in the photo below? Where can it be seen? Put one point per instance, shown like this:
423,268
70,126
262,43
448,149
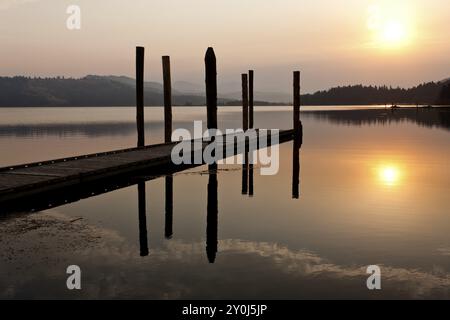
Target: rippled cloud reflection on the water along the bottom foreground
36,249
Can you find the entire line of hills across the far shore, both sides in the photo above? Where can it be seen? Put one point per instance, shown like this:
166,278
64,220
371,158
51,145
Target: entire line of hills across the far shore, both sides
95,90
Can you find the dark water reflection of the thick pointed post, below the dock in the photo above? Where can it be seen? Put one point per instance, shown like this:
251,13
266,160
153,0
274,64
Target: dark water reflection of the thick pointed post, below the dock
212,215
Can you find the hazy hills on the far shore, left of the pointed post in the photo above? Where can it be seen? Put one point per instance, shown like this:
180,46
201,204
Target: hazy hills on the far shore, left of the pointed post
87,91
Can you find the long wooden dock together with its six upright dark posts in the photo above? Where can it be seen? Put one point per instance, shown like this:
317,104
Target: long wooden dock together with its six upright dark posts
66,180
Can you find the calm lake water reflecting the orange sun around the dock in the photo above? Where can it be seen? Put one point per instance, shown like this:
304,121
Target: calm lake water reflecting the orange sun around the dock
374,189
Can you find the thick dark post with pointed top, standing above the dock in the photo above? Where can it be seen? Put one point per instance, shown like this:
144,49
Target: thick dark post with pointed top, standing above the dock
211,88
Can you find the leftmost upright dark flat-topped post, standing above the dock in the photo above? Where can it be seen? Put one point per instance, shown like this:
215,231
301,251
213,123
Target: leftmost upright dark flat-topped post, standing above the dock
140,95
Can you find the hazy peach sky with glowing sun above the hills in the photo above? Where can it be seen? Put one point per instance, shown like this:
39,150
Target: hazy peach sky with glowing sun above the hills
332,42
